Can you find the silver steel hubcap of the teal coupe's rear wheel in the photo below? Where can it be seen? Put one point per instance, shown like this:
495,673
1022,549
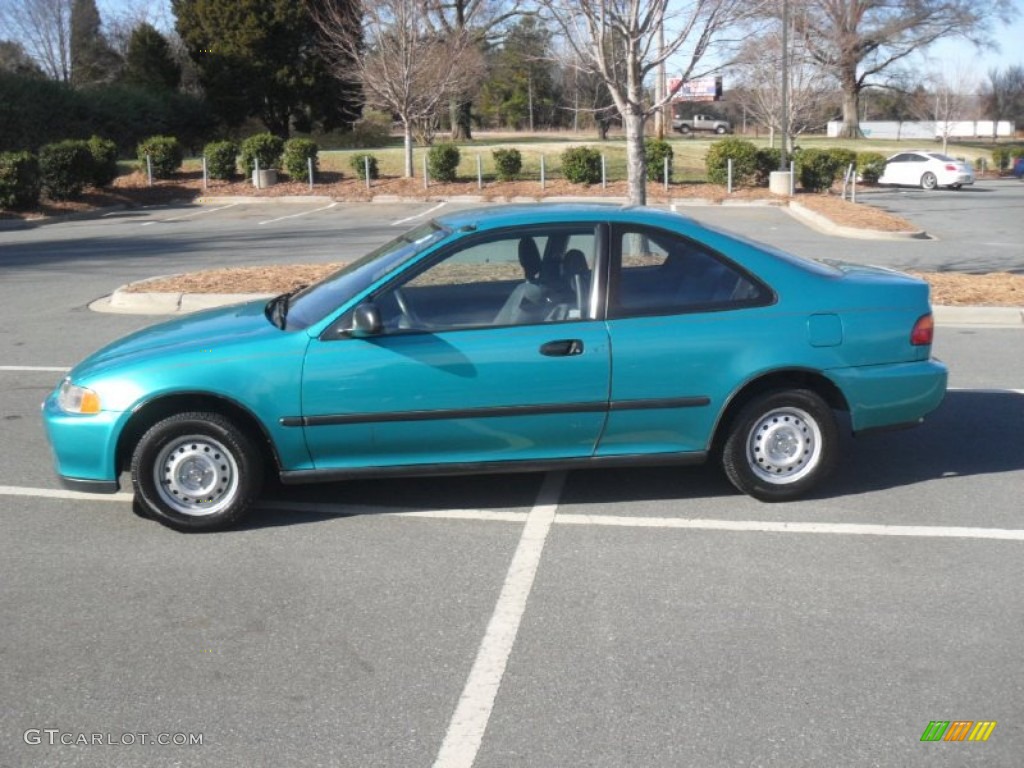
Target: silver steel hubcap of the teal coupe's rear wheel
784,446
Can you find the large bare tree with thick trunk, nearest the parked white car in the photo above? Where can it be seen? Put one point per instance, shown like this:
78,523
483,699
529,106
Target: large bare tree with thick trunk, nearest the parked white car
858,40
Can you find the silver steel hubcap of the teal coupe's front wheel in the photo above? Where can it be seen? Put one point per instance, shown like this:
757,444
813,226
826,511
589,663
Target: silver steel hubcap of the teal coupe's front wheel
196,476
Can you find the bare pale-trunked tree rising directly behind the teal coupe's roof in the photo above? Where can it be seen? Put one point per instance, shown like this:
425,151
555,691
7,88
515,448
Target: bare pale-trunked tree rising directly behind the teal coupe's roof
619,41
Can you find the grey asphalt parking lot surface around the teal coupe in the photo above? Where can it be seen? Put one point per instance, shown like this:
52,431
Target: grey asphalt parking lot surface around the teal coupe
629,618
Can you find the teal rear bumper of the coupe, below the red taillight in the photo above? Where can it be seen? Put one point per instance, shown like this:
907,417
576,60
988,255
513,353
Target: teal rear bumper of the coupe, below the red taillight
893,396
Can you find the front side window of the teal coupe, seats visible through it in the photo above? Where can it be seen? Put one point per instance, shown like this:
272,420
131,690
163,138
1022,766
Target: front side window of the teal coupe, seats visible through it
519,279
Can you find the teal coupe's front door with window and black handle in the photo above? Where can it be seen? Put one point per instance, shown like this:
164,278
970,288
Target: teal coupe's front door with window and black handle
490,353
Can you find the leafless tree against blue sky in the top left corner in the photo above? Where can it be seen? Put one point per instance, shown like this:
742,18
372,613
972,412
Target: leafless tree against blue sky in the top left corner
44,28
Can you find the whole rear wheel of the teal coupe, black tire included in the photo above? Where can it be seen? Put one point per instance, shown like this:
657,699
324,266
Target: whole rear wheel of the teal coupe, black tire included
804,445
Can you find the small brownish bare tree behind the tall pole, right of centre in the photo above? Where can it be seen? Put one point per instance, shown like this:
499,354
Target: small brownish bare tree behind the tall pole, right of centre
810,88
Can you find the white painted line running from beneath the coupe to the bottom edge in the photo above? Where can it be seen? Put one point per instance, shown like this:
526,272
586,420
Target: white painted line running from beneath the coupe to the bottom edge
465,732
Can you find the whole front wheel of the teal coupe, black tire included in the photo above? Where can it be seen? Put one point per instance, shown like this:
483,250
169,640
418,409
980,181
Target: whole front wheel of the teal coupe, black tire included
196,472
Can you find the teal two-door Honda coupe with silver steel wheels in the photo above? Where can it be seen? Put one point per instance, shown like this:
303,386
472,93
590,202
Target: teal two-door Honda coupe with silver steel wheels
514,338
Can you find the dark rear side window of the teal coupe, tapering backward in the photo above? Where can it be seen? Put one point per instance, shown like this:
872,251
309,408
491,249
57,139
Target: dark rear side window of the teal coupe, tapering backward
664,274
